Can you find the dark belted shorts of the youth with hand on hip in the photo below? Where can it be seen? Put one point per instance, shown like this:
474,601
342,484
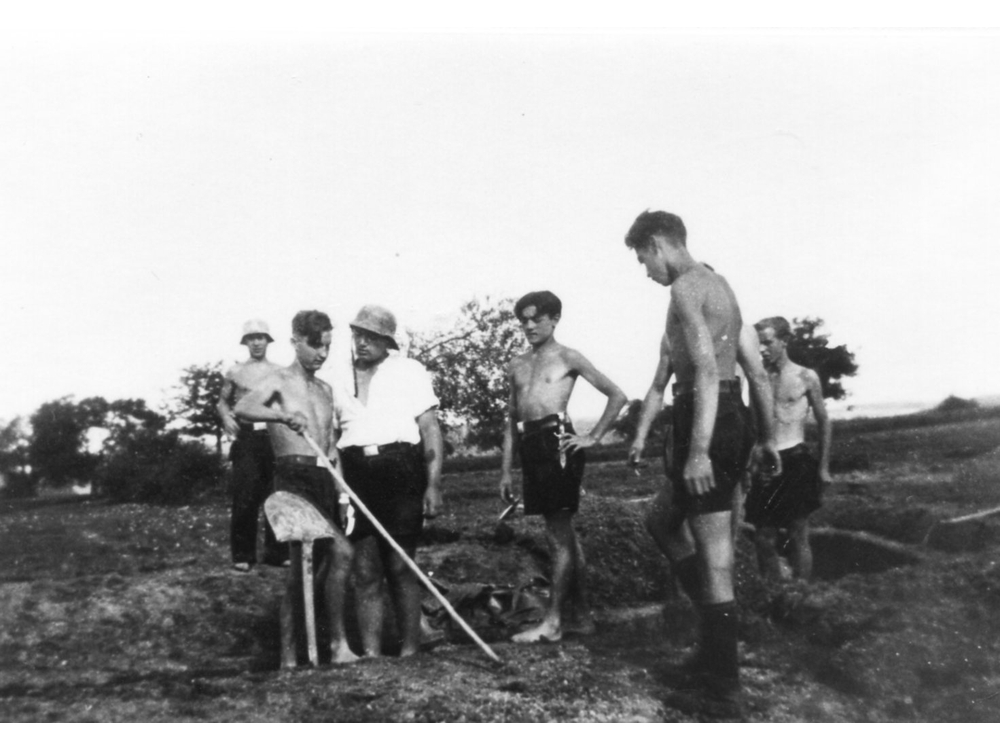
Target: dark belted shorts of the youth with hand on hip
548,486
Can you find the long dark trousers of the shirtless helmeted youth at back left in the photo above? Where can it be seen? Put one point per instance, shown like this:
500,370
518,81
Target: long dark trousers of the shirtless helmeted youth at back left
250,483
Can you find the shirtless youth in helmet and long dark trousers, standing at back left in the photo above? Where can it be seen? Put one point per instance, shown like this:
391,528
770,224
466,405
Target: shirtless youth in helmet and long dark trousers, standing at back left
253,460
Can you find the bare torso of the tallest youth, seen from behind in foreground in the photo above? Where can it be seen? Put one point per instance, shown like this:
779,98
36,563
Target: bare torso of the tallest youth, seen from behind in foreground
721,314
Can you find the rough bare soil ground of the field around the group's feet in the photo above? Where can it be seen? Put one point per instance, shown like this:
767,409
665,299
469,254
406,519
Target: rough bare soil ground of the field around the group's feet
131,613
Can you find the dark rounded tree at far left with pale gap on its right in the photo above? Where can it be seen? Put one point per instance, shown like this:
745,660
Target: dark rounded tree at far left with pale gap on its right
57,450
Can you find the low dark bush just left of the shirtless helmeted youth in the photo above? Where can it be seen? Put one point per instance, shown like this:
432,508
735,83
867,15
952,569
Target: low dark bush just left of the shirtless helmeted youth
158,468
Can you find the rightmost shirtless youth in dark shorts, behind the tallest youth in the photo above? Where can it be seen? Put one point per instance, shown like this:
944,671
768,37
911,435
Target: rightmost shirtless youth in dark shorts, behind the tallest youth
785,502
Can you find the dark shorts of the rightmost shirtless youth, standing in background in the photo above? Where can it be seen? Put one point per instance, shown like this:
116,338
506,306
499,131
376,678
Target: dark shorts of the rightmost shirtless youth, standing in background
792,495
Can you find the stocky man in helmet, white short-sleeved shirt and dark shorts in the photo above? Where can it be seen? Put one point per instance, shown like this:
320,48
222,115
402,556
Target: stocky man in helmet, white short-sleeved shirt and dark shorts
392,452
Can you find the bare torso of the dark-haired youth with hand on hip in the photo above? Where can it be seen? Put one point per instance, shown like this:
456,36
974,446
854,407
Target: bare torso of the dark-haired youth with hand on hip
542,381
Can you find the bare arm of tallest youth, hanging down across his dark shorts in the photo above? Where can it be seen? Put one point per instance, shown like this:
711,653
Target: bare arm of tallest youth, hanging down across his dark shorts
687,301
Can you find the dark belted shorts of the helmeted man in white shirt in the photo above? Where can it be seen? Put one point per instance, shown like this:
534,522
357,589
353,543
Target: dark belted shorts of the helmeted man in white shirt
391,485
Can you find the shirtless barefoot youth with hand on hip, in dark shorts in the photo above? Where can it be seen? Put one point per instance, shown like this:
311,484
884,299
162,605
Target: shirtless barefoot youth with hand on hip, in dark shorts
552,456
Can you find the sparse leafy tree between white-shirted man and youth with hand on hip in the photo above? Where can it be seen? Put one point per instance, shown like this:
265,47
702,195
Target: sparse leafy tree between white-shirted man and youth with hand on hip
468,364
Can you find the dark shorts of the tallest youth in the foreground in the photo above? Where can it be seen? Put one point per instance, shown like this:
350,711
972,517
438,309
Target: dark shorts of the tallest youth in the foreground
729,451
